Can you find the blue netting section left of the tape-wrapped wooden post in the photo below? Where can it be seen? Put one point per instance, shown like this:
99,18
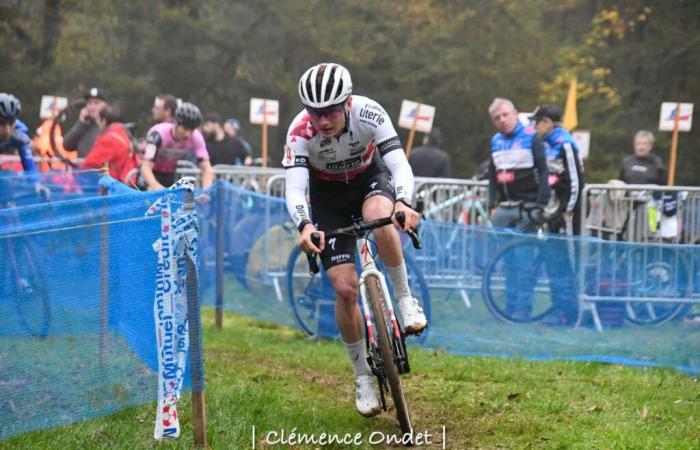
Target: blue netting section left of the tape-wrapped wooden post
57,362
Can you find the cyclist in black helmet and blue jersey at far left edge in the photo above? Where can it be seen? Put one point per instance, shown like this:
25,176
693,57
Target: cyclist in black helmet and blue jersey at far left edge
14,134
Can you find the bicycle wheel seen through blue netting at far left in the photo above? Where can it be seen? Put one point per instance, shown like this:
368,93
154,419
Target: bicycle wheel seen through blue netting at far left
30,291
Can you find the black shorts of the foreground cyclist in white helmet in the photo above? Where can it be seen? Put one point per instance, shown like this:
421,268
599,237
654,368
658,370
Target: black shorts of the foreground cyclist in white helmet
337,204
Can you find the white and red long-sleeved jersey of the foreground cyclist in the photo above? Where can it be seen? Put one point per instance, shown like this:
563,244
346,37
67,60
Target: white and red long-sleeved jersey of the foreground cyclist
369,139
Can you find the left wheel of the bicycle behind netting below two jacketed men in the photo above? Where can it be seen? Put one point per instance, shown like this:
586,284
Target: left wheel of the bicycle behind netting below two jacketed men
515,285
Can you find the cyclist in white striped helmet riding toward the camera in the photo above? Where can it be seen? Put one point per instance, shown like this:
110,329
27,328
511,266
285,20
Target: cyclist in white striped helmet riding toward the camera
345,147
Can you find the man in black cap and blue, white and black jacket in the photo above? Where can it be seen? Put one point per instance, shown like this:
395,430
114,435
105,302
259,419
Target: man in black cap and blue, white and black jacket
565,173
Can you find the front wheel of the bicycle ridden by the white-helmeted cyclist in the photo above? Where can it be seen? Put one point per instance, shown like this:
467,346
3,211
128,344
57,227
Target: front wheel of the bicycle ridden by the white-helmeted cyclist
386,348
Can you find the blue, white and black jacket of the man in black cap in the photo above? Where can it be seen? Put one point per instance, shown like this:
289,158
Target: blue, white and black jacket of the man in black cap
564,167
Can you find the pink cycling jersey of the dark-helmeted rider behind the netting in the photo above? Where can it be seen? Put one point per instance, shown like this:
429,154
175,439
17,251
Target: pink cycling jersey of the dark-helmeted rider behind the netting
164,151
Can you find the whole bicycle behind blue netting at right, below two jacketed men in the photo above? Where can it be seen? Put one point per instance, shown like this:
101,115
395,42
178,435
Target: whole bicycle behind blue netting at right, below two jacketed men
642,280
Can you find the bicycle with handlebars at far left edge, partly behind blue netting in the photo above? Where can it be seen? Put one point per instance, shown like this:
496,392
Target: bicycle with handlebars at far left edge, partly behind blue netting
24,282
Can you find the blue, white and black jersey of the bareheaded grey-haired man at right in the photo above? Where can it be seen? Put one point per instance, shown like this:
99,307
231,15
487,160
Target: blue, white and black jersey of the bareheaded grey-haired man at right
518,167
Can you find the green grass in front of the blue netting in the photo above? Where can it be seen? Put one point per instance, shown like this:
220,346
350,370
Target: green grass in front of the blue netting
273,378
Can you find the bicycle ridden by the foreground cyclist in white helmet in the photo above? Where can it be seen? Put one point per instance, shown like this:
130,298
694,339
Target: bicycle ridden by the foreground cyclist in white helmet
384,338
